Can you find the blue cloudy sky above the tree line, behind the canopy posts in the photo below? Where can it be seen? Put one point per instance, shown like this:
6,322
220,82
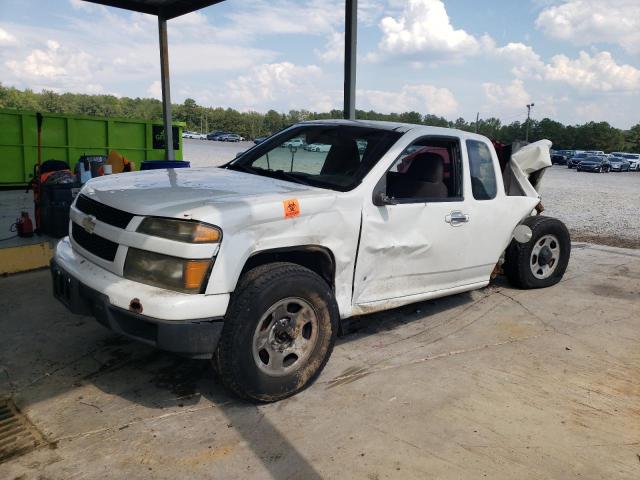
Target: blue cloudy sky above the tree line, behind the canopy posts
578,60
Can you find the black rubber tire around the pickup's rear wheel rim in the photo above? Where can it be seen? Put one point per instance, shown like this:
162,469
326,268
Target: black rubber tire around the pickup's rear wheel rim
519,266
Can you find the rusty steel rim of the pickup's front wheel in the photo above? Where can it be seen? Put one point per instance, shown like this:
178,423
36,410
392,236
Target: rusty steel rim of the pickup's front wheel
285,336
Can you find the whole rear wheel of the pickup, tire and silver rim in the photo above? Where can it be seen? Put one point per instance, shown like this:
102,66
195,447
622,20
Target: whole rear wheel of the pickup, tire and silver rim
542,261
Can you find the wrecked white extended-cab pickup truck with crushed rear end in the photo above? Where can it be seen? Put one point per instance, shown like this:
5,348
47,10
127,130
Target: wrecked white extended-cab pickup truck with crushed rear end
255,263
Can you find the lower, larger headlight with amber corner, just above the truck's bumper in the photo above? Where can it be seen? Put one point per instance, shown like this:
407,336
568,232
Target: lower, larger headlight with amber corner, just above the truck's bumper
167,272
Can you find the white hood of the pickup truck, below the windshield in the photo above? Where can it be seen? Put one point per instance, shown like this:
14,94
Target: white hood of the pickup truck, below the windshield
194,193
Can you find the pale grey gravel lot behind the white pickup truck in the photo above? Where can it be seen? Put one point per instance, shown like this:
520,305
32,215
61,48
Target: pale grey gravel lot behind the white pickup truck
597,208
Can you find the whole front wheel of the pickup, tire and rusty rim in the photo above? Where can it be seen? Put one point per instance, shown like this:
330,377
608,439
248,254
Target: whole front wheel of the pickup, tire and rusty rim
278,333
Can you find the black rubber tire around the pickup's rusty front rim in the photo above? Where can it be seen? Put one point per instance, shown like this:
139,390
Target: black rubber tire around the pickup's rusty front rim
257,292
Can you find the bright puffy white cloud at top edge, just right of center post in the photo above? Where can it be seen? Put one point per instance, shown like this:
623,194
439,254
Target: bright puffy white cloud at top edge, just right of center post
424,27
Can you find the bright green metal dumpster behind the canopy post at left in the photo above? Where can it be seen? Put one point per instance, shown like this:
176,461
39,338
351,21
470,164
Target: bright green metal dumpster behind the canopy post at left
67,137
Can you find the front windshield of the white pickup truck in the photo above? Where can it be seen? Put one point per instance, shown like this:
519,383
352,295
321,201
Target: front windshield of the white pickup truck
327,156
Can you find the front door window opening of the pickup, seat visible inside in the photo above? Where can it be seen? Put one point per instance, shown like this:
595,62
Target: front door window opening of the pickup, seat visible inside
427,170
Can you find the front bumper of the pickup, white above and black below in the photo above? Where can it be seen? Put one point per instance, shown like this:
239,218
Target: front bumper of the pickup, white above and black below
192,337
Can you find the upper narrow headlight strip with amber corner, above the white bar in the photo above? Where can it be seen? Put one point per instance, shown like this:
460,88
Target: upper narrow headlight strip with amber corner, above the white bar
180,230
